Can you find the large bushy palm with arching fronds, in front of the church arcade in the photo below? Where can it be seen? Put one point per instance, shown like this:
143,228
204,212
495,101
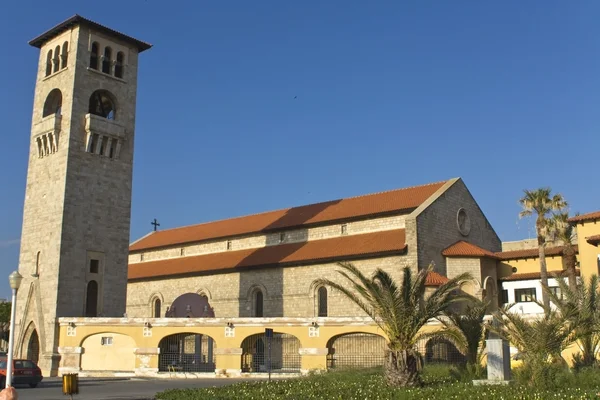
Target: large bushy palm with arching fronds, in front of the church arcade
400,310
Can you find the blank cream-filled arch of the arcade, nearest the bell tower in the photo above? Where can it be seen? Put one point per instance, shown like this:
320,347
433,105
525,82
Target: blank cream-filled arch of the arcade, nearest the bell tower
108,351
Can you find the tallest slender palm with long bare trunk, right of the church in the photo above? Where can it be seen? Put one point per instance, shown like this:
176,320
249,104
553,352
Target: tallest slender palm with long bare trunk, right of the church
542,203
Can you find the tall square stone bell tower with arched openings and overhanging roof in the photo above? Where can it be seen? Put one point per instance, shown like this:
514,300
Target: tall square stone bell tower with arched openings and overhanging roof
76,218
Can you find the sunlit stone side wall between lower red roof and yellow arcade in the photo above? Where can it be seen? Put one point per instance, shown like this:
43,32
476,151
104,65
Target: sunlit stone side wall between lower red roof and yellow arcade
286,290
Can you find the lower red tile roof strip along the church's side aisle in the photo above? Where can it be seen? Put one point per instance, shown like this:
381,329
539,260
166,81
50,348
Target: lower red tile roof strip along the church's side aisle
325,250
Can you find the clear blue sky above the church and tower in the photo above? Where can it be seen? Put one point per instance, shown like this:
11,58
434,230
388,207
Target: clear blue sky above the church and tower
505,95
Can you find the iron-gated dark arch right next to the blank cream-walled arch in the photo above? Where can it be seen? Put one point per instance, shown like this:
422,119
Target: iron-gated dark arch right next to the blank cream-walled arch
186,352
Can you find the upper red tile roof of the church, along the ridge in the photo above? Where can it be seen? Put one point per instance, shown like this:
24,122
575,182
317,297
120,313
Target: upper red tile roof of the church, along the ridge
395,201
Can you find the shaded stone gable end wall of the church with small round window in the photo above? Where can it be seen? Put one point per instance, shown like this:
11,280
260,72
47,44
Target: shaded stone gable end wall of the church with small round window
437,226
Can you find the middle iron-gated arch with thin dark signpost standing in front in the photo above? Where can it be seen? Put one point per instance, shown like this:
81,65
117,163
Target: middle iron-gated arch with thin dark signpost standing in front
285,353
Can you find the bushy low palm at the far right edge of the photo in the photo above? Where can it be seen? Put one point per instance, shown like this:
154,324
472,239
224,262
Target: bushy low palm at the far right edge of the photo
580,309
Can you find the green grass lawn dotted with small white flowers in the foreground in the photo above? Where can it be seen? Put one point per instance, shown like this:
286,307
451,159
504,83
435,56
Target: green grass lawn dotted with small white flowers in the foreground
362,385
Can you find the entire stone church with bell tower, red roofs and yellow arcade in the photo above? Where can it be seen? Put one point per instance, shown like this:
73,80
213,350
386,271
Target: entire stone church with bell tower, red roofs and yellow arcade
201,299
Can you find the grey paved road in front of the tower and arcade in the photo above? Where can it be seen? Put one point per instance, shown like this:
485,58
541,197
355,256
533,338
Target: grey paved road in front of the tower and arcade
115,389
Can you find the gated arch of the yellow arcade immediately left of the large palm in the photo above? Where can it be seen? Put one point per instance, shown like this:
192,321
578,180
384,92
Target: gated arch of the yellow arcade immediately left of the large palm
356,350
